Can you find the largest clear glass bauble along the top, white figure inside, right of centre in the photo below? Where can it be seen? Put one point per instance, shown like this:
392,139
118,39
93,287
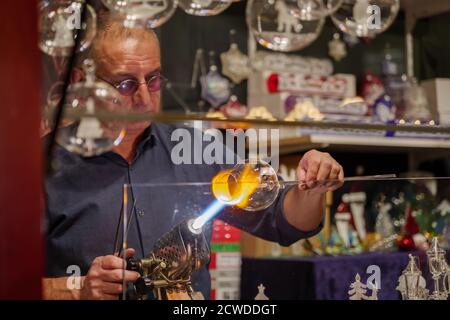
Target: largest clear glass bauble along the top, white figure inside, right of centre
275,27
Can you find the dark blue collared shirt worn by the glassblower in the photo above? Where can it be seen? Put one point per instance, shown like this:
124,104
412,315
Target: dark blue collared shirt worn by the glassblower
84,202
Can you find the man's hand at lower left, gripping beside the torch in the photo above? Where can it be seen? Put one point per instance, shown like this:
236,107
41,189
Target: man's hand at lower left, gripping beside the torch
105,278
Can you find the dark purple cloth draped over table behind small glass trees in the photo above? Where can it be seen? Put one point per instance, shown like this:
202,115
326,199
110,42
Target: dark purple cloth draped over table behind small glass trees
323,277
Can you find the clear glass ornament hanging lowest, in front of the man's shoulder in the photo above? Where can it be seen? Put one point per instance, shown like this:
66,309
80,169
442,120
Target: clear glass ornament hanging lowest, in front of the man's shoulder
84,133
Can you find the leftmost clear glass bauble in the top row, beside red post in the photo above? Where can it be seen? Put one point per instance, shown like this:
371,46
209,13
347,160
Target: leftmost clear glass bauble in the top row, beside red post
58,22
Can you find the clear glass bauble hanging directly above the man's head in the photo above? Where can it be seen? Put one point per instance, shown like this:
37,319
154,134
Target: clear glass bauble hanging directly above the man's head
142,13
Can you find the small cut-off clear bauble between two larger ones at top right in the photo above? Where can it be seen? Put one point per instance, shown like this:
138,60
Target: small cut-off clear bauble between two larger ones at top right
315,9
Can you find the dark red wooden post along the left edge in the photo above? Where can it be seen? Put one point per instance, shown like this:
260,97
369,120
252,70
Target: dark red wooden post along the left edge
21,245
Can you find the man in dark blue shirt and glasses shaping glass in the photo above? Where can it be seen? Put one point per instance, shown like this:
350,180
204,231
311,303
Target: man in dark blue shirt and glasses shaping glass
84,196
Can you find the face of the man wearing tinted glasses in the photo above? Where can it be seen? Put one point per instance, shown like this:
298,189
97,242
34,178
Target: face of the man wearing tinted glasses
118,60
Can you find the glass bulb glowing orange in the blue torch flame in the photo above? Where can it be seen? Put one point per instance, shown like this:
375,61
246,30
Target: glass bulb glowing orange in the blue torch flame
249,186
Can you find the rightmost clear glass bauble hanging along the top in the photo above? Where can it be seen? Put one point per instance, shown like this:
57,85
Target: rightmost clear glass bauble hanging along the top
365,18
